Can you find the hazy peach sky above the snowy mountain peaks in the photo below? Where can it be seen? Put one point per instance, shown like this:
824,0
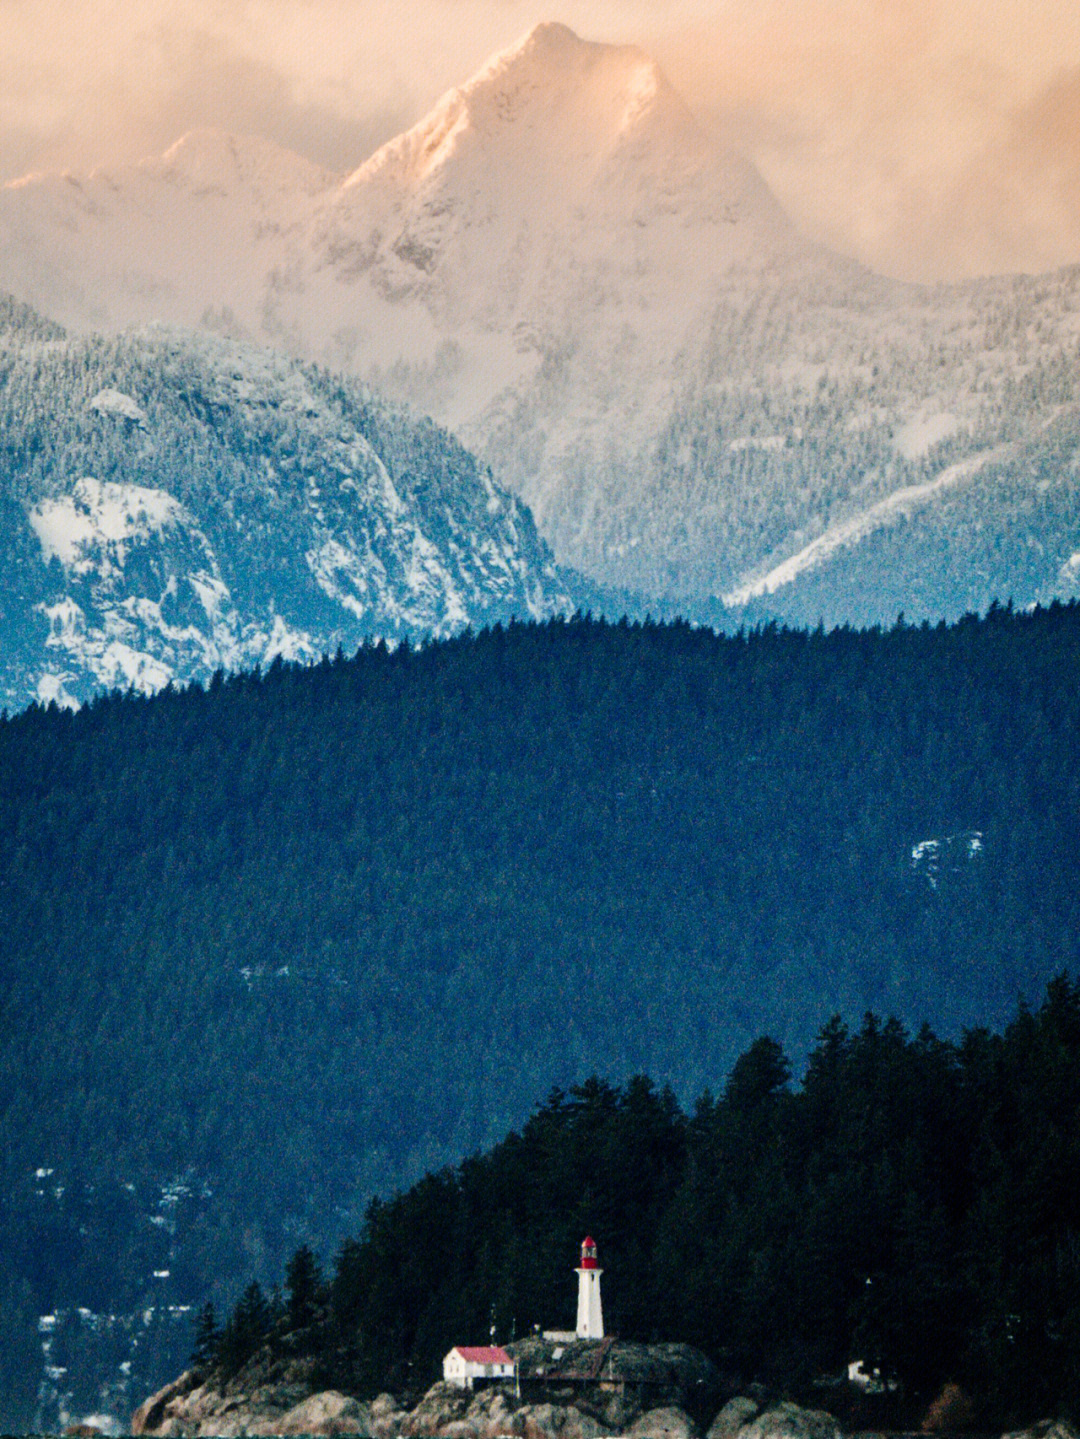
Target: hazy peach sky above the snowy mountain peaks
927,137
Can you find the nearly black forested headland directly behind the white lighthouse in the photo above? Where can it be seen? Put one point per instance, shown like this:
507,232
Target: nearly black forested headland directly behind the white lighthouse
911,1205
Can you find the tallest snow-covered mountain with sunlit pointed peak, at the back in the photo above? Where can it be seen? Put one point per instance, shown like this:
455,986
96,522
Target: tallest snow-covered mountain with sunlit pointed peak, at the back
615,313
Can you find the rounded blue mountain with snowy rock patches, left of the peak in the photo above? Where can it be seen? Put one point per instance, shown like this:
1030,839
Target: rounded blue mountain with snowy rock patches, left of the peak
173,504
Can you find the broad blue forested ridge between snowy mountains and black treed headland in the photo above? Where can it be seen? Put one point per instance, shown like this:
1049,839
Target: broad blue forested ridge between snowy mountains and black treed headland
285,943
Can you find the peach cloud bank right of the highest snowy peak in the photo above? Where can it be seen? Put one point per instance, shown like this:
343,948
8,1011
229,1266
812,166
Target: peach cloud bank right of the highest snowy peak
924,139
